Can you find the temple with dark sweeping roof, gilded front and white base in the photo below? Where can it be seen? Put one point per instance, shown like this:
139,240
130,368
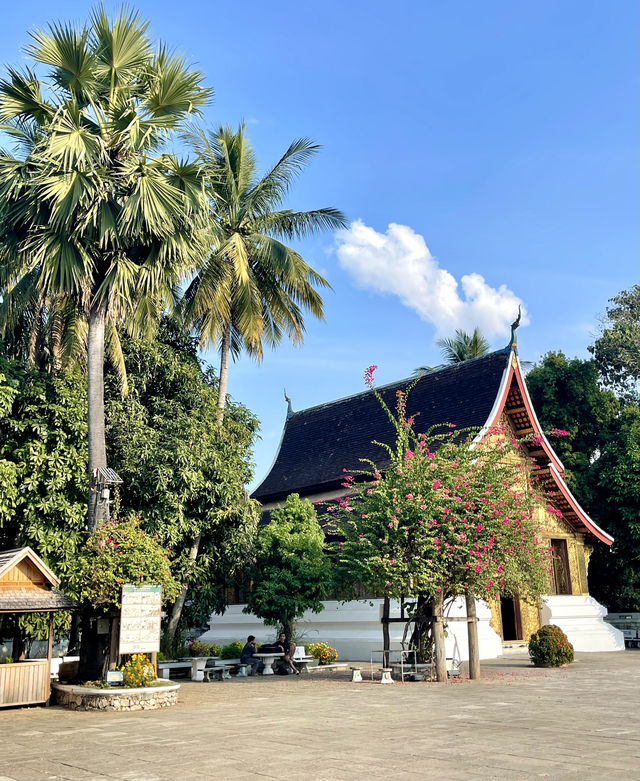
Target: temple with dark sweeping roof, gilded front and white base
319,443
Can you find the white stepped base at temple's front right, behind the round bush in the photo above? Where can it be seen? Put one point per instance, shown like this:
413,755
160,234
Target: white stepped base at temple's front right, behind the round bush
581,619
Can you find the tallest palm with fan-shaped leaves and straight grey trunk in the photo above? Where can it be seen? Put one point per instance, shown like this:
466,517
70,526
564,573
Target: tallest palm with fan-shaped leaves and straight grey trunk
98,223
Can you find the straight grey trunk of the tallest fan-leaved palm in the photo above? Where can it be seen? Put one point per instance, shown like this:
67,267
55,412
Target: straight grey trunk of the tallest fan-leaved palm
98,509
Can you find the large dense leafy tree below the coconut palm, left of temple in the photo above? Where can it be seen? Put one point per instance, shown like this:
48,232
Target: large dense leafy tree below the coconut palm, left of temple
182,473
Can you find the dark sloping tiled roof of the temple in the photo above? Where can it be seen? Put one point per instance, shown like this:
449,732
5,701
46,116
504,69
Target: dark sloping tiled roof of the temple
320,442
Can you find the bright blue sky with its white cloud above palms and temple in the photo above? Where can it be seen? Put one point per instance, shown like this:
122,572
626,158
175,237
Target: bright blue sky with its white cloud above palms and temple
499,138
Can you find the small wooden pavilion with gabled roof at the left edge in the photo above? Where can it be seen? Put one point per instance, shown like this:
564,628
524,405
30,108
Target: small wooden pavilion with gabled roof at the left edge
27,585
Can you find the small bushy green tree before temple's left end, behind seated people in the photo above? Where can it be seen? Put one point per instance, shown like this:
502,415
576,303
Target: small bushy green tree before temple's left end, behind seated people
292,571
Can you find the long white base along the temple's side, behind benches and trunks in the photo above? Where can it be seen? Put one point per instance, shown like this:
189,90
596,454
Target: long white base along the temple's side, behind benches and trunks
353,629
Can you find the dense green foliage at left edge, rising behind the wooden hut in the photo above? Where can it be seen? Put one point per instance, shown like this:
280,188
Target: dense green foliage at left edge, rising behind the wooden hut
43,458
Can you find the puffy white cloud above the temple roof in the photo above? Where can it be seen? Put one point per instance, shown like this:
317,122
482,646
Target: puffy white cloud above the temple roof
399,262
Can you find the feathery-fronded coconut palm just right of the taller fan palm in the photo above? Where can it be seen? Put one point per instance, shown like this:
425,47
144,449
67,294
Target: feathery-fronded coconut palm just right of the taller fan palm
252,288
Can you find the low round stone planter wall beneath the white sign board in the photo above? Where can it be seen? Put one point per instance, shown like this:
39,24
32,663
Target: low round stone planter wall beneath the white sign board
143,698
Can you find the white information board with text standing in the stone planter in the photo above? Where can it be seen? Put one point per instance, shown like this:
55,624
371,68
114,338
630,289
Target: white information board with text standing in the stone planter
140,619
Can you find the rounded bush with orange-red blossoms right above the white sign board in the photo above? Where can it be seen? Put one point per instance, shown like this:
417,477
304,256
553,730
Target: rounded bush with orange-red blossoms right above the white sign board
118,553
